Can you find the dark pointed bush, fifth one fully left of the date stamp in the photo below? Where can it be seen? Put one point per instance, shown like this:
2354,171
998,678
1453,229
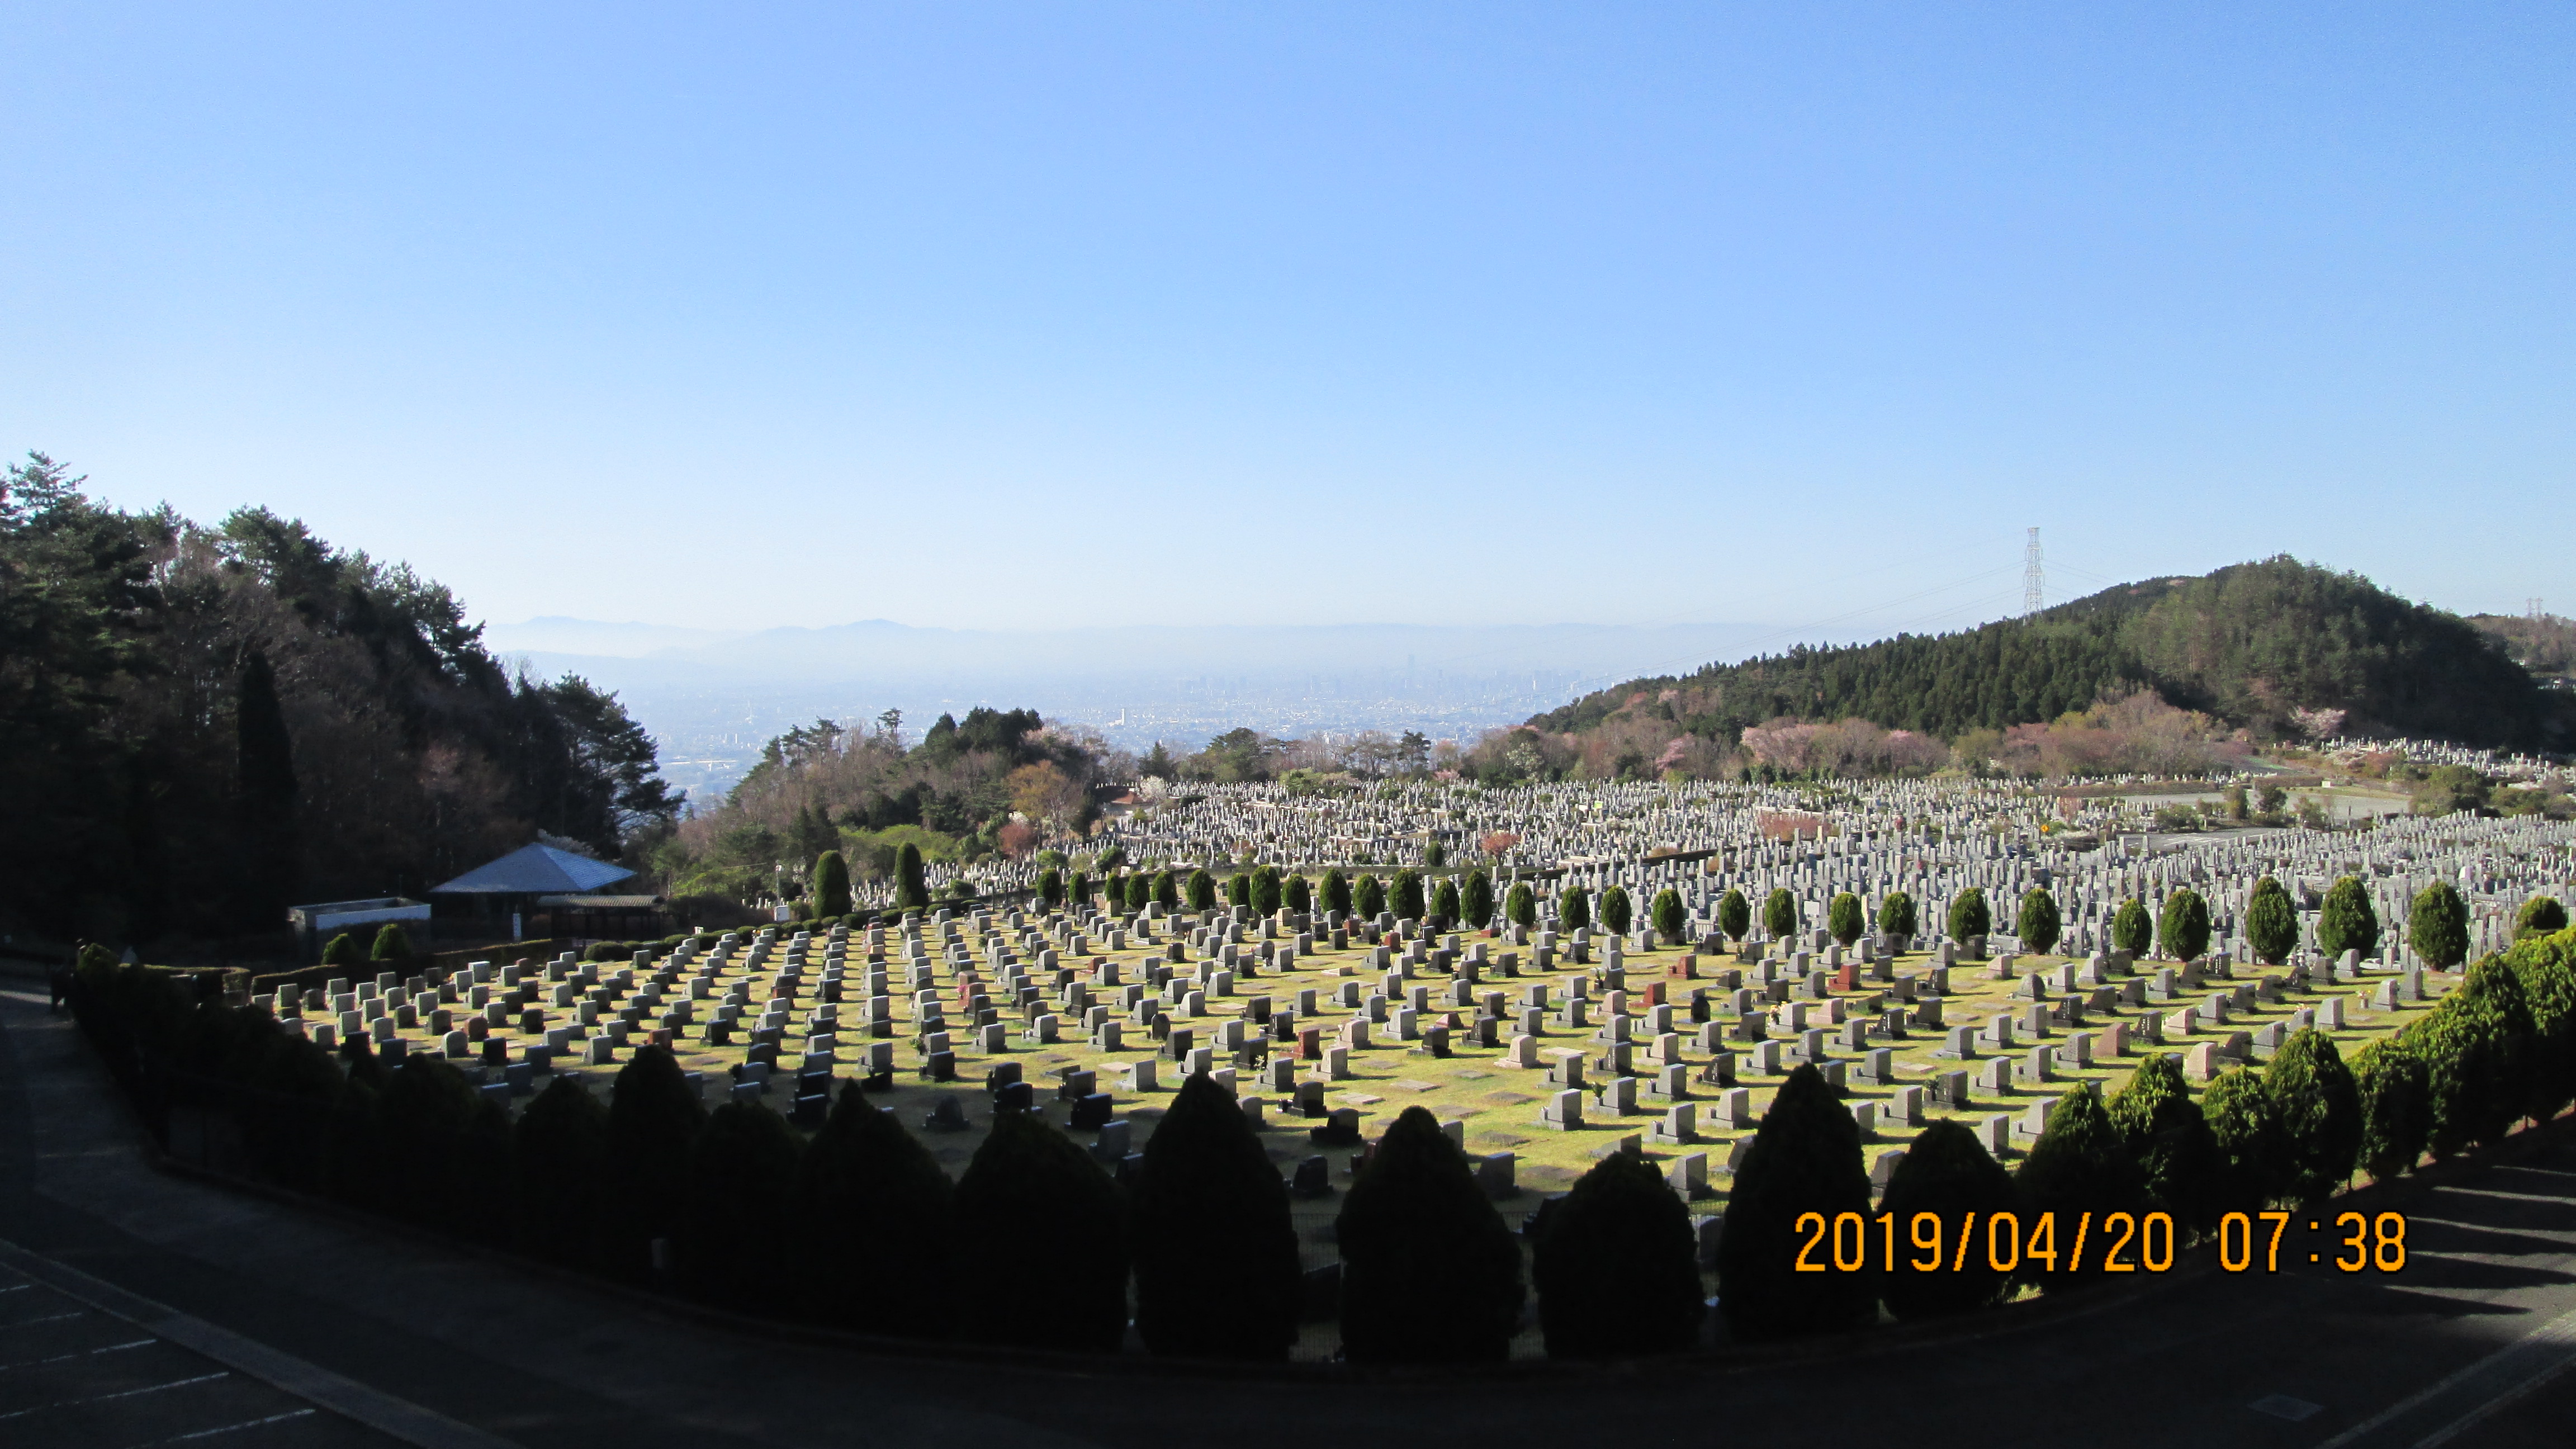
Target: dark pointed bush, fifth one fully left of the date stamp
877,1223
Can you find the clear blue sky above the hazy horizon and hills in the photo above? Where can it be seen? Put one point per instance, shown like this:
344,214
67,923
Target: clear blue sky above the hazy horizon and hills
1047,316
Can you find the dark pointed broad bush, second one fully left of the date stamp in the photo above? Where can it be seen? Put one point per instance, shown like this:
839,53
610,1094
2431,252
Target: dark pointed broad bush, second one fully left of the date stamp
1428,1270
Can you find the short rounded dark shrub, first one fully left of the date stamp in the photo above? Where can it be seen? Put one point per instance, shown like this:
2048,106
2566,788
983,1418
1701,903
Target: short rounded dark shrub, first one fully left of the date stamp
1616,1267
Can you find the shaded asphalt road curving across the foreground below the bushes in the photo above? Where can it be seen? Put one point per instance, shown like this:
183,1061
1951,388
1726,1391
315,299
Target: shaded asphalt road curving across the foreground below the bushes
2461,1347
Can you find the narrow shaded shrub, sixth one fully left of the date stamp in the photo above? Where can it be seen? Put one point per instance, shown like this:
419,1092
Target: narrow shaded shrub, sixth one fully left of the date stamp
741,1172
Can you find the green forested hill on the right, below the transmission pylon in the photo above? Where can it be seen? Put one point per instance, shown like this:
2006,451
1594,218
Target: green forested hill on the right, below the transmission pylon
2250,643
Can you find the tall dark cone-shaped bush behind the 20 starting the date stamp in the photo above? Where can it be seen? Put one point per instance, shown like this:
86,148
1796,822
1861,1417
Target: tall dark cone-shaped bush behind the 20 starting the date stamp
1804,1159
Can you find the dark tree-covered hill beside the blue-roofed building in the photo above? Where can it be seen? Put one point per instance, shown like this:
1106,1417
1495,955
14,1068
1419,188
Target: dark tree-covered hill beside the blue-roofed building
202,726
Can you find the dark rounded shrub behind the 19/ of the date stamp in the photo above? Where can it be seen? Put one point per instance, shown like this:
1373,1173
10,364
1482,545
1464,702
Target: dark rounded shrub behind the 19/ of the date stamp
1951,1177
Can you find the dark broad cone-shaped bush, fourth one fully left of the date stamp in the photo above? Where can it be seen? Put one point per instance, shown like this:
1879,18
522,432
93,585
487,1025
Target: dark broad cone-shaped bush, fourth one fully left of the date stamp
1042,1244
